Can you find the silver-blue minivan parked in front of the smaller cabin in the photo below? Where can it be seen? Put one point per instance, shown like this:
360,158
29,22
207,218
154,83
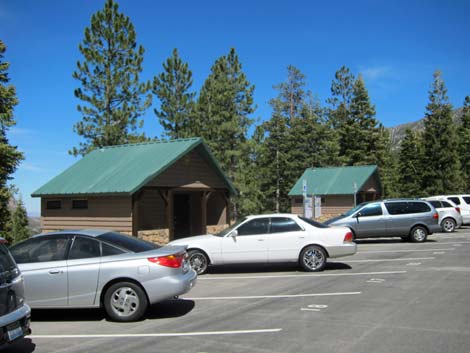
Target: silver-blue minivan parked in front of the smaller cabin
411,220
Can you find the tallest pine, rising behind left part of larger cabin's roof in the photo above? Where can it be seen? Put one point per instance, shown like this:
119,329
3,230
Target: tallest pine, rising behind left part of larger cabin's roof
110,87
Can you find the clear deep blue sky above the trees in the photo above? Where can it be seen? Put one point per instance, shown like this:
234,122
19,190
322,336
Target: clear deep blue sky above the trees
396,45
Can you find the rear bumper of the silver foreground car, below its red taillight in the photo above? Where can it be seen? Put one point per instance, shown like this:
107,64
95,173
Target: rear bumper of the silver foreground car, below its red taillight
168,287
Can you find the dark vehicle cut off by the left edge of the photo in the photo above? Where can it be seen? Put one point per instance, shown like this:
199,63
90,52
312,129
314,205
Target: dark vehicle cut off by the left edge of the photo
14,313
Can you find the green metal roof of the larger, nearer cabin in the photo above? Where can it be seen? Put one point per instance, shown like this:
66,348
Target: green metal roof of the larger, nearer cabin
125,169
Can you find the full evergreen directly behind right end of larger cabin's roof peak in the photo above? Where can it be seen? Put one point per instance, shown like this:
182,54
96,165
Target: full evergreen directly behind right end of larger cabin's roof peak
224,106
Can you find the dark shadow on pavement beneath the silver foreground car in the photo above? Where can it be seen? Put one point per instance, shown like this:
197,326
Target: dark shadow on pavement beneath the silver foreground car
163,310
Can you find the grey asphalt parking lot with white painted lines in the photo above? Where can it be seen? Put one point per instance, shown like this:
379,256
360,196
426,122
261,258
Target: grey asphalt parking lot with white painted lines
390,297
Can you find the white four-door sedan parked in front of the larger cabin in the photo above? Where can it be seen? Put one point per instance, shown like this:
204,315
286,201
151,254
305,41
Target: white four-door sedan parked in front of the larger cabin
271,238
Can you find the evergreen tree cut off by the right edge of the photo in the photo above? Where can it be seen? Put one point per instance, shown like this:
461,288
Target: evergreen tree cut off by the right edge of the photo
464,143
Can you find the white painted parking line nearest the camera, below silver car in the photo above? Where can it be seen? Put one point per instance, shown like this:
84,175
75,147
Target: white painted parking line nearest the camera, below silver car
128,335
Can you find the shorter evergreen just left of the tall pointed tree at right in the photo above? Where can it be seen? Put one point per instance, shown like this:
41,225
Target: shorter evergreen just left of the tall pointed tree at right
410,165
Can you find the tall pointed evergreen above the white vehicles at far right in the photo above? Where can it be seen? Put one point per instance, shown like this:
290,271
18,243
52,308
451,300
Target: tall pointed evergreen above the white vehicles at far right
442,172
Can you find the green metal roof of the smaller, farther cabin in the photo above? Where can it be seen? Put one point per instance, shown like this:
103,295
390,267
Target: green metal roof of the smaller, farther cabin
333,181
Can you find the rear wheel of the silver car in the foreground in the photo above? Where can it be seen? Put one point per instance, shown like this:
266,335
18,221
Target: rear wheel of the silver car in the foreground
125,301
